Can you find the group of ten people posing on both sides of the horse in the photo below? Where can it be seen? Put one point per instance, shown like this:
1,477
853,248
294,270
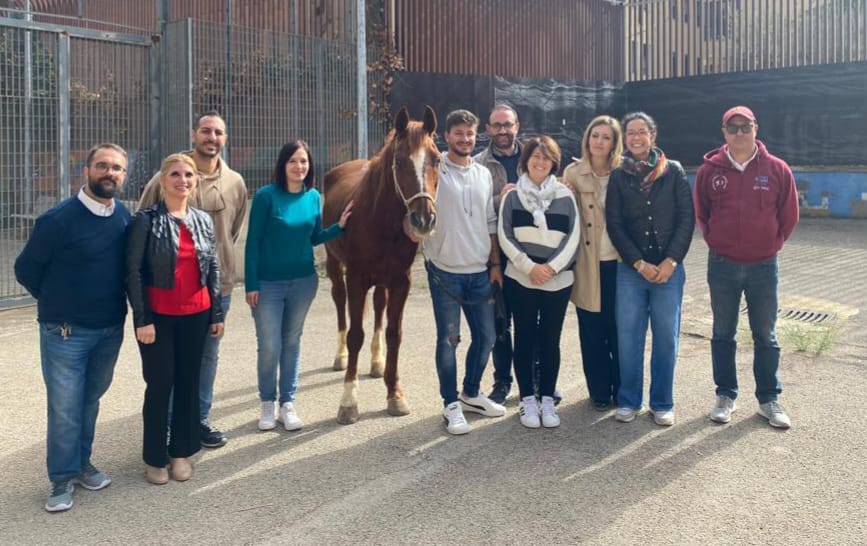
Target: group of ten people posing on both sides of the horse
514,245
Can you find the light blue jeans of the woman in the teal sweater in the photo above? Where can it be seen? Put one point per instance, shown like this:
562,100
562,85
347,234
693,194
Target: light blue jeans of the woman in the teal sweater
279,319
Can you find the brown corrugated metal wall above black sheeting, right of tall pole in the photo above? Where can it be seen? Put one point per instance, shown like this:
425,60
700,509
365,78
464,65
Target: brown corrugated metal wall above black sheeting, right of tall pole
565,39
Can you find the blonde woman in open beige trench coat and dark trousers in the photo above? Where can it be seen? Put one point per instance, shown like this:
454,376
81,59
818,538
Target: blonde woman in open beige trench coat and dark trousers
596,264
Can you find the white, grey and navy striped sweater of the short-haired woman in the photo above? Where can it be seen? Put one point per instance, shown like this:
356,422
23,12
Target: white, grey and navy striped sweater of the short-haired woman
525,245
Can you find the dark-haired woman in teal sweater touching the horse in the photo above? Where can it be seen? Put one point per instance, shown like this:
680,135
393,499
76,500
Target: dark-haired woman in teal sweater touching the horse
280,278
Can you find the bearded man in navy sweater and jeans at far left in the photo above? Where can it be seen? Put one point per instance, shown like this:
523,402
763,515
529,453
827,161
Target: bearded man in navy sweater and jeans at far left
73,264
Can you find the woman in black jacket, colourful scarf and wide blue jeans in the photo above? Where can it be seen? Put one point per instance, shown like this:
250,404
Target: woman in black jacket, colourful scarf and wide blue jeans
650,220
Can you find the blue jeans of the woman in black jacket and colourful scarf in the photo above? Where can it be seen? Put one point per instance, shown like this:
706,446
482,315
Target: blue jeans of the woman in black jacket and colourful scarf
636,301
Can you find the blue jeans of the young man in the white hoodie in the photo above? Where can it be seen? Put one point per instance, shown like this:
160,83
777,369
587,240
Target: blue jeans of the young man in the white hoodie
475,290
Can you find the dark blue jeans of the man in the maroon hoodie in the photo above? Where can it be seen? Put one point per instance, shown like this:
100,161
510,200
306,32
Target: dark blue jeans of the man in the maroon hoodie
758,282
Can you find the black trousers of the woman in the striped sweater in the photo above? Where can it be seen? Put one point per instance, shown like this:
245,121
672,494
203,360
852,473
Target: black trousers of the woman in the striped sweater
538,316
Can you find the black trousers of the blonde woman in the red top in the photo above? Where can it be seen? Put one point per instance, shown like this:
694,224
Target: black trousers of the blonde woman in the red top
172,362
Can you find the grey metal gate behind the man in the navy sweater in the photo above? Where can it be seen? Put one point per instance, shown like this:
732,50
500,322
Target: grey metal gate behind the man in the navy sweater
62,90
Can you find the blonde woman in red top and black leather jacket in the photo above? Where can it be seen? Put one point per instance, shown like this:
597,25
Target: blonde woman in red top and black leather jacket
174,290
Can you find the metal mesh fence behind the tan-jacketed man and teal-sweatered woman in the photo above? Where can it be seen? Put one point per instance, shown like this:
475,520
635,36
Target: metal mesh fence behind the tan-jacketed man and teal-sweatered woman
270,86
